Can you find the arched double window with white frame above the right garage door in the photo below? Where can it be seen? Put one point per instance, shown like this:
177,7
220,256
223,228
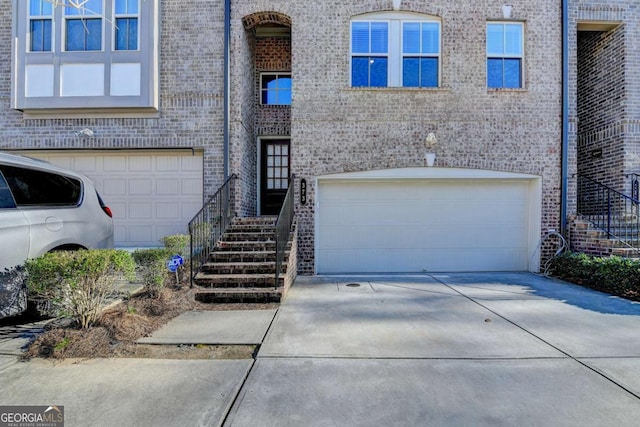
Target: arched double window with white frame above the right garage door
395,50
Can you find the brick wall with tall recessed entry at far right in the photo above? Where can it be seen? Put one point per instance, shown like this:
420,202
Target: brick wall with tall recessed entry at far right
604,90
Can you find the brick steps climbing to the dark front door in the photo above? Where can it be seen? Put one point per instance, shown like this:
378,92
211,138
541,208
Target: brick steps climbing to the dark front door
241,268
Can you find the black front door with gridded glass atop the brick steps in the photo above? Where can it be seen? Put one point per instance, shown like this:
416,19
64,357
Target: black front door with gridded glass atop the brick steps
275,175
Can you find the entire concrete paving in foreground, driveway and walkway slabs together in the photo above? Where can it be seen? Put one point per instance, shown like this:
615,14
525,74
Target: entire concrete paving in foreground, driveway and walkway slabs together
446,349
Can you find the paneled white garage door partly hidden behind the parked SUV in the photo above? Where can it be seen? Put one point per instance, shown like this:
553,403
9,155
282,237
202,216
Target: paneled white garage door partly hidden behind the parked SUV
151,193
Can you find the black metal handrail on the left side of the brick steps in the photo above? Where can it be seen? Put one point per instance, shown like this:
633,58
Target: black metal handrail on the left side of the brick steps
210,223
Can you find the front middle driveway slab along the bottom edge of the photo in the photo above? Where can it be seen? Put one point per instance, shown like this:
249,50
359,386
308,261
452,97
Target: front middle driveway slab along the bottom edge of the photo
347,392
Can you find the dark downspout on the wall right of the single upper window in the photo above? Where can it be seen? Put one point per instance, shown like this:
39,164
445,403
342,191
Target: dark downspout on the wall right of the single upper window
565,117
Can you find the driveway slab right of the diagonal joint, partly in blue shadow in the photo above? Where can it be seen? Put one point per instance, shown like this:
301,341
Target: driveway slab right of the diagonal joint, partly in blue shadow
579,321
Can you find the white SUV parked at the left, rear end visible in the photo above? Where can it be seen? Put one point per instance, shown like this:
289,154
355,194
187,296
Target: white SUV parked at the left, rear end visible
45,208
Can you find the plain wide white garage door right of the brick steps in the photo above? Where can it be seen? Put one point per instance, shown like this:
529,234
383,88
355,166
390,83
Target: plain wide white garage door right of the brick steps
425,224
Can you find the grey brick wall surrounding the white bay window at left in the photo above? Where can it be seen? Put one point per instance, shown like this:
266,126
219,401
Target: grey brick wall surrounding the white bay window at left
191,95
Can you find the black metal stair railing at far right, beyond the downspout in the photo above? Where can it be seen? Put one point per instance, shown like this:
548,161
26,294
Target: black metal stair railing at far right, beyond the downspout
609,210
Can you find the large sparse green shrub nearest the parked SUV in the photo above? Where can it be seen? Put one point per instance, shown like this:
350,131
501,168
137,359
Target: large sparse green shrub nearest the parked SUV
78,284
